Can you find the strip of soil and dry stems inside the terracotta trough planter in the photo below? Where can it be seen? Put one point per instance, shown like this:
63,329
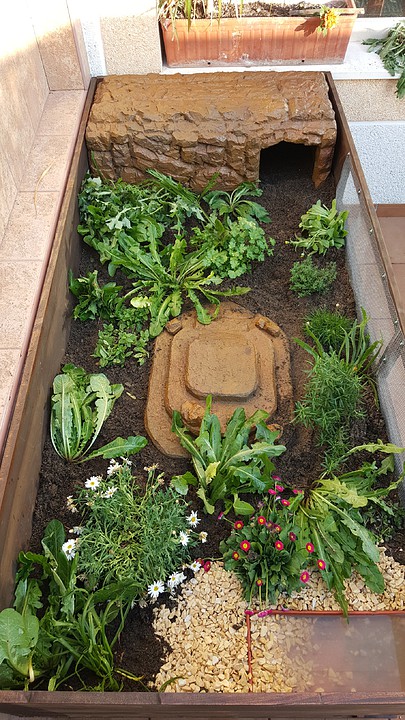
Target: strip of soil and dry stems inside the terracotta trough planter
259,9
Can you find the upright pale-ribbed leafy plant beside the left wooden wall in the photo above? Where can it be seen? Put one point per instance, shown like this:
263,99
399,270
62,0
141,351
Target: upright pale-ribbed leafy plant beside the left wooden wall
80,404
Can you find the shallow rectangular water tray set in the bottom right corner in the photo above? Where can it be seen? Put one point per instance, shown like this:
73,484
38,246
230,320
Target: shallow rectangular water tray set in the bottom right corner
328,654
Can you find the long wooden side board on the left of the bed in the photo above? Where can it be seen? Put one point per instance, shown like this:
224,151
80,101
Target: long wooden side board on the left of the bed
22,455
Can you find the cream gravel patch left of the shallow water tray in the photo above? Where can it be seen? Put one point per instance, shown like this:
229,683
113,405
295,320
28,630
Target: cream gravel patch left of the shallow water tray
207,633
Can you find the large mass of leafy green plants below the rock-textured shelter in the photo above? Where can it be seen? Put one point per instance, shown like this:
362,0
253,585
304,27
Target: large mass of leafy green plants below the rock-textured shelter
132,229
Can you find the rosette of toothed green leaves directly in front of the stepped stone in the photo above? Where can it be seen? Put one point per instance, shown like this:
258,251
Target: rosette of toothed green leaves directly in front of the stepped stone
228,465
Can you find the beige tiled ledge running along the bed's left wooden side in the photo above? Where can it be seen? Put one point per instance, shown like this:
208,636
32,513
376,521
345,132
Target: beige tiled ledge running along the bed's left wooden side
25,245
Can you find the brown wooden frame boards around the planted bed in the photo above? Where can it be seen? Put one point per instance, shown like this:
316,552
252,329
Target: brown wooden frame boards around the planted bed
19,472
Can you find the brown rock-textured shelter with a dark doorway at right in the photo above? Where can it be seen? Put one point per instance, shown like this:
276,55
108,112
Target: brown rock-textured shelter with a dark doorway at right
191,126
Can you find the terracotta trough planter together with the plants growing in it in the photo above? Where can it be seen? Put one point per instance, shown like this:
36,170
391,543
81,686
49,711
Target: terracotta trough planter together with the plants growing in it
258,33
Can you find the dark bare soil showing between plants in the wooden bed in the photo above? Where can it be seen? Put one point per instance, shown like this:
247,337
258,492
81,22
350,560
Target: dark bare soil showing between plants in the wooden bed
287,193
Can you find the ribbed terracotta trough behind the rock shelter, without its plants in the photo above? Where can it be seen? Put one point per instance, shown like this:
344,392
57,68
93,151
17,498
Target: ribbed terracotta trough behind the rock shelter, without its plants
257,41
